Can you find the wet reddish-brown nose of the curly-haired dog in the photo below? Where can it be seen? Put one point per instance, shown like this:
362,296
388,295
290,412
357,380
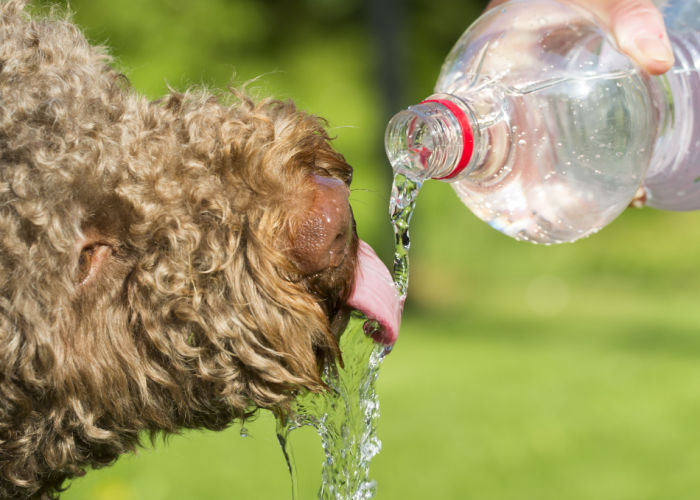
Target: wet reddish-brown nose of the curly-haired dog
323,238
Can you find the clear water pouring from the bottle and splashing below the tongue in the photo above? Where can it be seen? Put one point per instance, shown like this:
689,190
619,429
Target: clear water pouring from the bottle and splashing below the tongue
346,415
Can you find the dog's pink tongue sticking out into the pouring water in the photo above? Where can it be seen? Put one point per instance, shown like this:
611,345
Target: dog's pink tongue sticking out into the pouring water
375,295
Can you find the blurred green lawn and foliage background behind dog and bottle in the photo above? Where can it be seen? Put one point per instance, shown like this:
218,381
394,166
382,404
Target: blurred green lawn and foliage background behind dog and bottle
522,372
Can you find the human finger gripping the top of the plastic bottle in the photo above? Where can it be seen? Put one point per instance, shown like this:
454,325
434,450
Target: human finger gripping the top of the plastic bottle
638,28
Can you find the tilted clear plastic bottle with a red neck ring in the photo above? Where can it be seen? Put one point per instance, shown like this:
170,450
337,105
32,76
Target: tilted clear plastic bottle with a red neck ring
547,131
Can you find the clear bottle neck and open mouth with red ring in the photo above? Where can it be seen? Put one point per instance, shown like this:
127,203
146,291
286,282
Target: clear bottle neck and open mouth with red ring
432,140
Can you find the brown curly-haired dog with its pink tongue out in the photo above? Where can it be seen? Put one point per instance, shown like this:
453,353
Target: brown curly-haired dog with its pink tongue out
163,265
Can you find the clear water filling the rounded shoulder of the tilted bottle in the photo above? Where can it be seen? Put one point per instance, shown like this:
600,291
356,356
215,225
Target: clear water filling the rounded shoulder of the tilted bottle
566,157
